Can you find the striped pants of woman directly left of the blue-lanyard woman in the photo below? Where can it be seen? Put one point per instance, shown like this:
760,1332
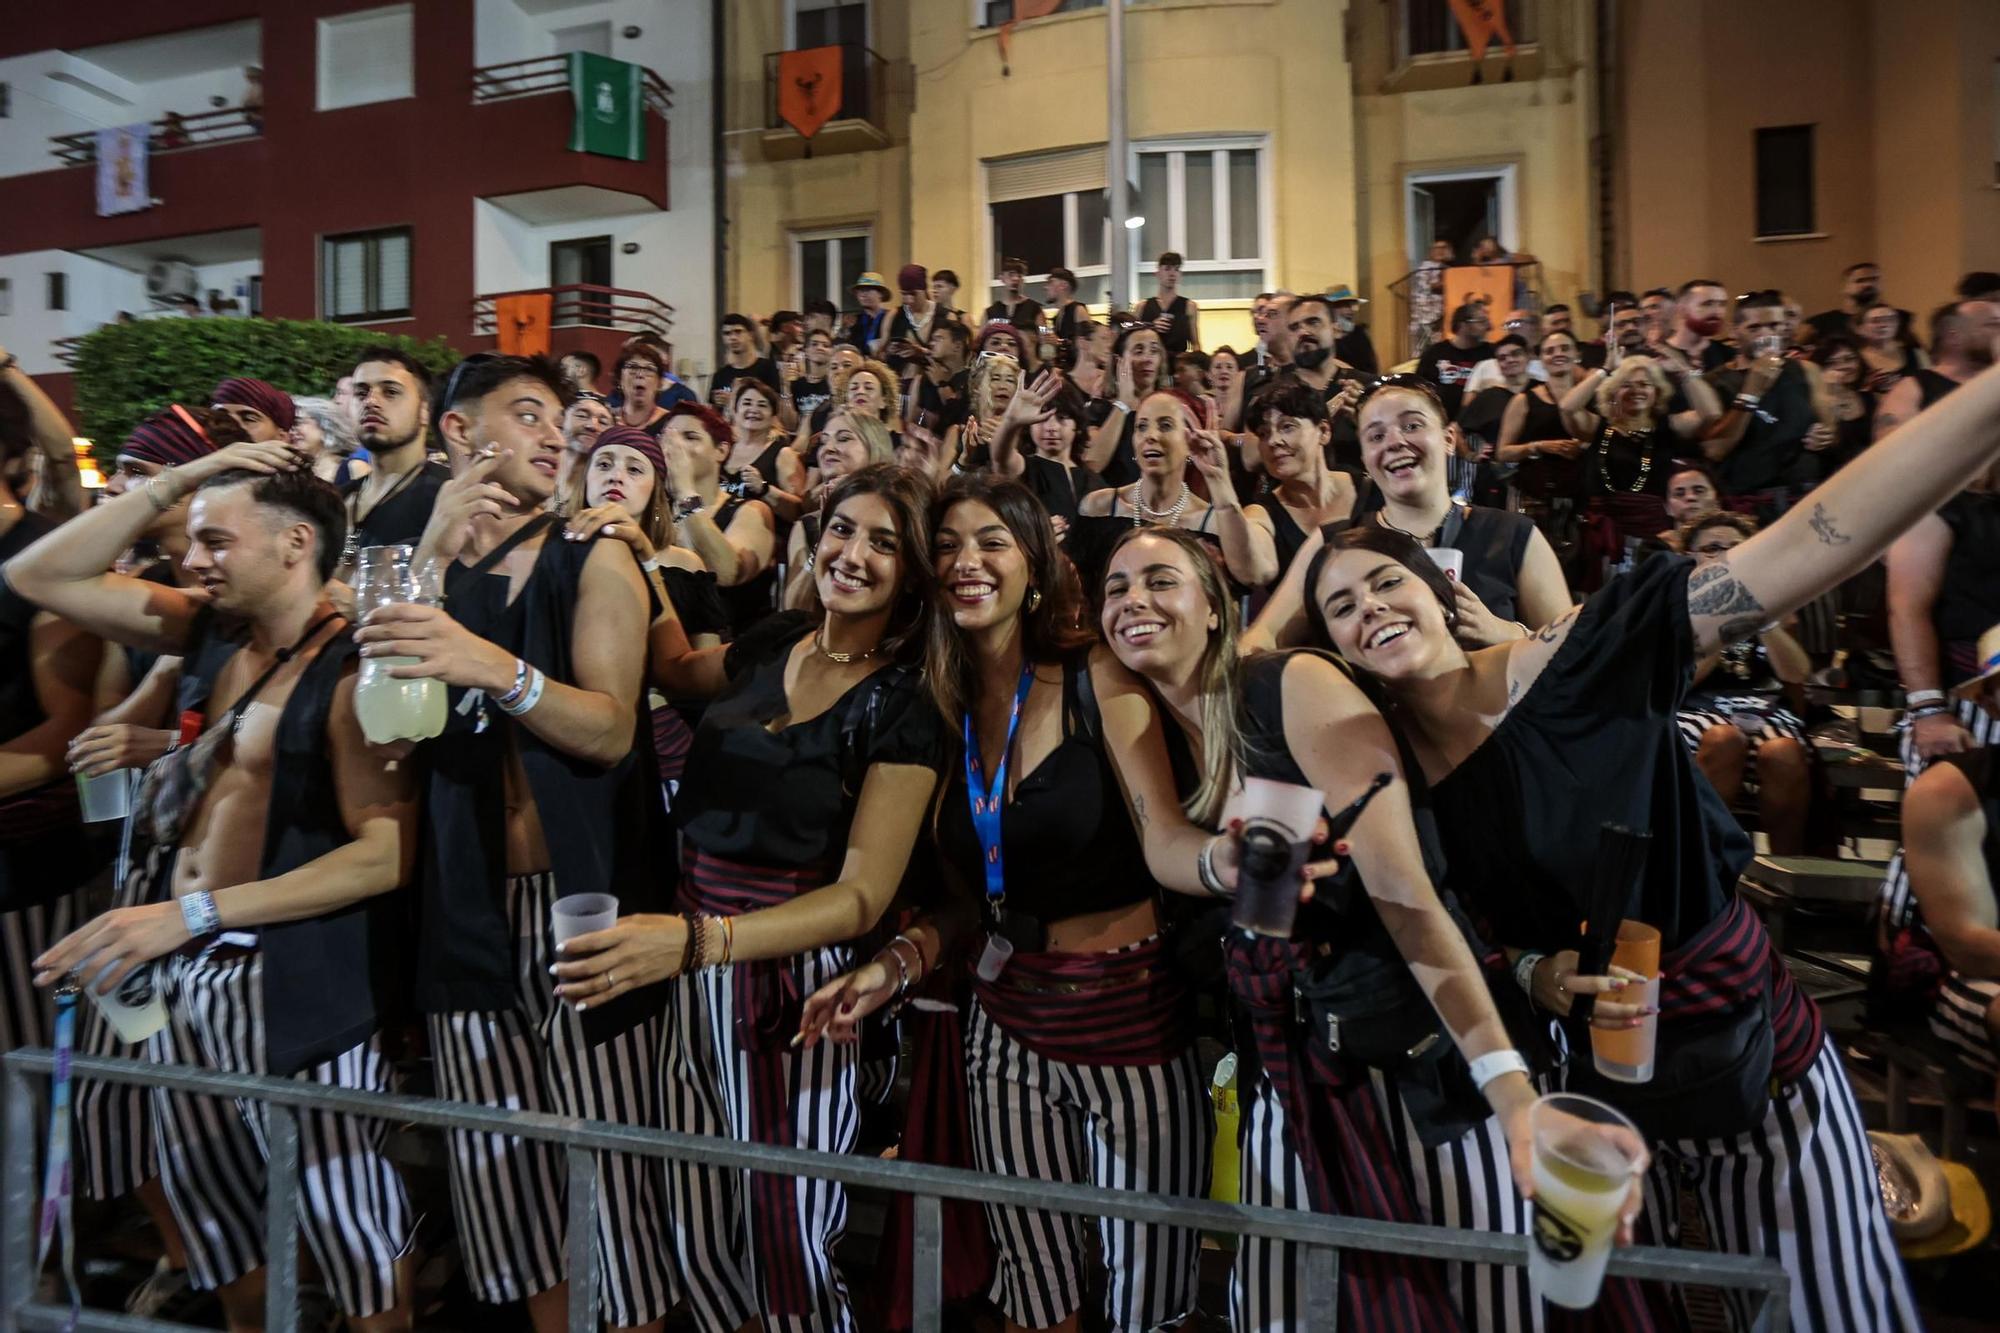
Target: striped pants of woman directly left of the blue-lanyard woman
707,1092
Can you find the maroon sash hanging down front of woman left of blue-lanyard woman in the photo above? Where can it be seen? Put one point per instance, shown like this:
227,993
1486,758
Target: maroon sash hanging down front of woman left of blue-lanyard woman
767,1006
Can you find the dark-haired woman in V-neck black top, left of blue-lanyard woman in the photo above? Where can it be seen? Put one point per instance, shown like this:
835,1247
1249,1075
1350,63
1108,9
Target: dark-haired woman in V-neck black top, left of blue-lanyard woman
805,796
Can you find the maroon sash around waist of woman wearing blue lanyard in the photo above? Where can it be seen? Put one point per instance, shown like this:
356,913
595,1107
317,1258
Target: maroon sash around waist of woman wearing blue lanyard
1127,1008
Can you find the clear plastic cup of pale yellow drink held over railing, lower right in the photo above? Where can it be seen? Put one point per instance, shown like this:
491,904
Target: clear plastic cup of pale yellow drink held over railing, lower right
1585,1160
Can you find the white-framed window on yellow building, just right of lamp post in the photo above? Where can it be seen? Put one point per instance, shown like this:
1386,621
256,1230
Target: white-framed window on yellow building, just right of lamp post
1205,201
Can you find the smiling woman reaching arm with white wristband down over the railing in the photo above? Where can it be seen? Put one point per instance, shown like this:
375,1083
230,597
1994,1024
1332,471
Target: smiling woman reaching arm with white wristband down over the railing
1325,1128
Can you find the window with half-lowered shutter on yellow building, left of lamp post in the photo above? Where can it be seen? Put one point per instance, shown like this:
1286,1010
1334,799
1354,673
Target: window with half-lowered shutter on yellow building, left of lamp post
1051,213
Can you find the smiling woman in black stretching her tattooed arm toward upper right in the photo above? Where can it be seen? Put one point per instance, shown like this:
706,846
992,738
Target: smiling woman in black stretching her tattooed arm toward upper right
1535,748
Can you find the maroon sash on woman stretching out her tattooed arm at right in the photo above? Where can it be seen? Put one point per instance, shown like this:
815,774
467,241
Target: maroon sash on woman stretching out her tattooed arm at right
1727,966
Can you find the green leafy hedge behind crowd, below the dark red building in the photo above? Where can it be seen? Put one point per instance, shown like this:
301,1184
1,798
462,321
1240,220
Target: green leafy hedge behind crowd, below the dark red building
129,371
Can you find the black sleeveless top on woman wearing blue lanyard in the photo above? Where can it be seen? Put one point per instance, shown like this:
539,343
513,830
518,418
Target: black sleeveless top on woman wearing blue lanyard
1067,836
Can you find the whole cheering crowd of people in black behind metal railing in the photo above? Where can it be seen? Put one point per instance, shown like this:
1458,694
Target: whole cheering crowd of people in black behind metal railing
923,657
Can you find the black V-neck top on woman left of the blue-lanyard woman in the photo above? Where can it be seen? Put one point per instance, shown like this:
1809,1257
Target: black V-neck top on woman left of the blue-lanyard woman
787,798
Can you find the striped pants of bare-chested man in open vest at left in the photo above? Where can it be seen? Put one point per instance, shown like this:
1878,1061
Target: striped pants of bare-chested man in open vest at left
351,1202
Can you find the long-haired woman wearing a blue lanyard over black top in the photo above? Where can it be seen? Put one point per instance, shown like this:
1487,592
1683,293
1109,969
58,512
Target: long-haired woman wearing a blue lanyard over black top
1057,834
